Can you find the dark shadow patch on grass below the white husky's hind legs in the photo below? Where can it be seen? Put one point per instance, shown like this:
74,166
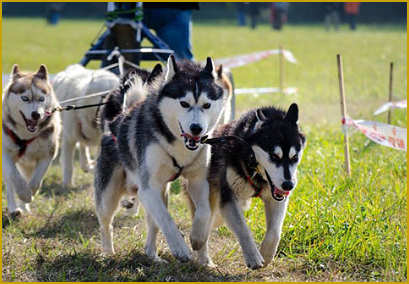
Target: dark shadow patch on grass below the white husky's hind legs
69,225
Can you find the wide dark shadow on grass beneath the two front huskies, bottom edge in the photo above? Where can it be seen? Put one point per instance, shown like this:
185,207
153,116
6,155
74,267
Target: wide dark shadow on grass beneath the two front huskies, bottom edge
133,266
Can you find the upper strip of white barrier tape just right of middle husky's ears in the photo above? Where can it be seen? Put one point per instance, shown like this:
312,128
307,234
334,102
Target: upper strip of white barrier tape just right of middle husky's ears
241,60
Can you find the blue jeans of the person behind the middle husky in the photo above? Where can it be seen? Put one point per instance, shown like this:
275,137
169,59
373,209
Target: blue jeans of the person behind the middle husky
174,27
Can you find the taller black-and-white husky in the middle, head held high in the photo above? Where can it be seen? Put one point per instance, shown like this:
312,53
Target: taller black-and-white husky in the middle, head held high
155,142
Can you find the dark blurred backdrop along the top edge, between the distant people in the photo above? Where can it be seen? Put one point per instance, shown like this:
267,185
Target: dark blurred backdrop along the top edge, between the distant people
298,12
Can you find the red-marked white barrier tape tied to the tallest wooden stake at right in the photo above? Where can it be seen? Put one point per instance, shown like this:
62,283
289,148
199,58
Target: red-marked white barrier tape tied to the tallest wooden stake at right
381,133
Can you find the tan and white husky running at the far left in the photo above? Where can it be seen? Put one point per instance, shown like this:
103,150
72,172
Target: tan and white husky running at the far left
30,135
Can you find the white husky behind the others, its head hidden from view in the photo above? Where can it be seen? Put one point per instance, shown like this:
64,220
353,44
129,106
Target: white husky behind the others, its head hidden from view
81,125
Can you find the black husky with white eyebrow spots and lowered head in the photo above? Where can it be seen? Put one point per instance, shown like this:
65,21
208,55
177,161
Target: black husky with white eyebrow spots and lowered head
277,142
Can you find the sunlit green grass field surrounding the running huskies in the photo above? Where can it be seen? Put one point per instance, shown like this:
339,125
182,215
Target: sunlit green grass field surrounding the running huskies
337,228
